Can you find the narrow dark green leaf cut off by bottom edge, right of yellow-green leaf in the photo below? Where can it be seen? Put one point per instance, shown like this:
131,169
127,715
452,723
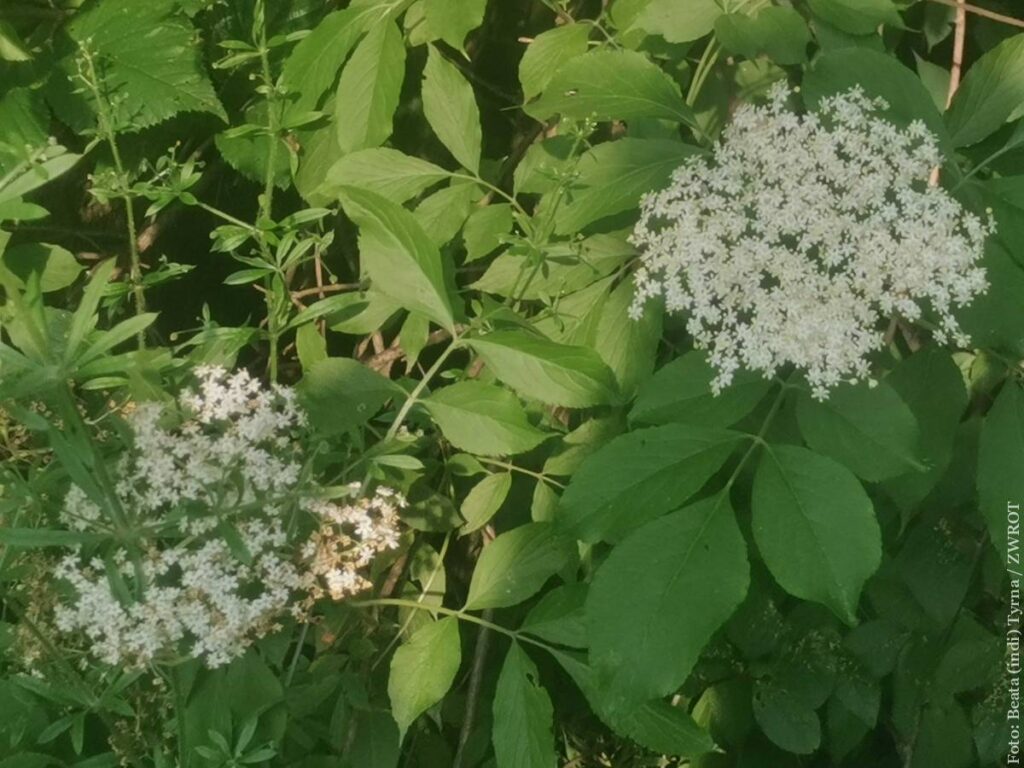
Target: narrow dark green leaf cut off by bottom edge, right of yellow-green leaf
524,716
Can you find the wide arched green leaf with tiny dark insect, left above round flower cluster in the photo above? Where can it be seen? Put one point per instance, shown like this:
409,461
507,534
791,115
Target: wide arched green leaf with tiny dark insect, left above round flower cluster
612,86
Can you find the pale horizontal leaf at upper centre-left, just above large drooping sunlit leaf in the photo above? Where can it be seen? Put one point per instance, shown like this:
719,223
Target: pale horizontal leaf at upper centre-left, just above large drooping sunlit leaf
390,174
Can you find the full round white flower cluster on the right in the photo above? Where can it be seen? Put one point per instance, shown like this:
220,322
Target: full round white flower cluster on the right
803,235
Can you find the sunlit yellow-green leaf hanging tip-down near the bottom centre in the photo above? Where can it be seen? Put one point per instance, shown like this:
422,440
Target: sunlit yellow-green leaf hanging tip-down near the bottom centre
423,670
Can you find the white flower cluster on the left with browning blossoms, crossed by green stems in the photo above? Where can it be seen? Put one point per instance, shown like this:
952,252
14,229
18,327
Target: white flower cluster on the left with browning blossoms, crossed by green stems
225,556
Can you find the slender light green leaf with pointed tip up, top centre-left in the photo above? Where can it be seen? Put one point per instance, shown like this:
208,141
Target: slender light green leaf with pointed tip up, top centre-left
451,109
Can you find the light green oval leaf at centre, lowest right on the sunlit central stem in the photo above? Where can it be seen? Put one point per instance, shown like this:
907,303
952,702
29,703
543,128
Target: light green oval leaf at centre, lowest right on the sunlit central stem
483,419
